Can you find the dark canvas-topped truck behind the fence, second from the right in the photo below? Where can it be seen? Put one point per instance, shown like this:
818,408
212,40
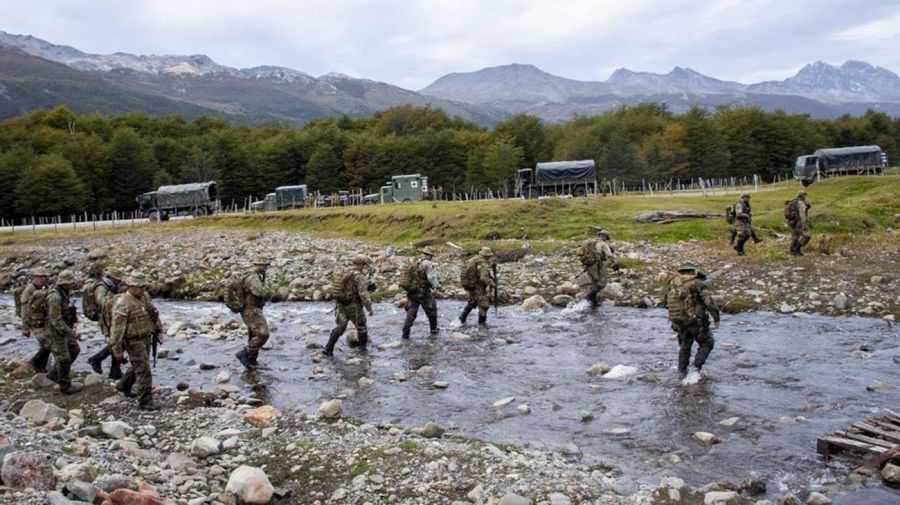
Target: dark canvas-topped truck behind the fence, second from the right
575,178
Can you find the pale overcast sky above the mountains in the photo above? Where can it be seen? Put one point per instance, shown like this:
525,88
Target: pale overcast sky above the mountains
411,43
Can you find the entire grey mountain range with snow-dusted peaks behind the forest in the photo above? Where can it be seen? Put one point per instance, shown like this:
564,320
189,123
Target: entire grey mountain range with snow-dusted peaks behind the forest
36,73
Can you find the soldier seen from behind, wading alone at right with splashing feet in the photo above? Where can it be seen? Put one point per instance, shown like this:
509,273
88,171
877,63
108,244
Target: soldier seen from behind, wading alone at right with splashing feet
690,306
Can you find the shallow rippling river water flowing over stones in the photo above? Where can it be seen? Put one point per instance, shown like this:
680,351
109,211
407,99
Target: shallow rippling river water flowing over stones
788,379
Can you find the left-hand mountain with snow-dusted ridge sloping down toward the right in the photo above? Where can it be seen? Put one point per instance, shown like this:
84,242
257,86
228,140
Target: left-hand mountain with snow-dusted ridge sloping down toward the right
251,95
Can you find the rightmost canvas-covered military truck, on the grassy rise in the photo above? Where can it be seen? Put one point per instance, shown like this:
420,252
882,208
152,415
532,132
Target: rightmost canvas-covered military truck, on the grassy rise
832,162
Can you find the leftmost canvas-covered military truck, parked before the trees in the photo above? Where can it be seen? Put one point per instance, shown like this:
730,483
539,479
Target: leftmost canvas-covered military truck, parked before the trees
194,199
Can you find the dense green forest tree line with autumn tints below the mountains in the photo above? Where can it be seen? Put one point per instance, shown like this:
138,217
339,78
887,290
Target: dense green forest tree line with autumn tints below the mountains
59,163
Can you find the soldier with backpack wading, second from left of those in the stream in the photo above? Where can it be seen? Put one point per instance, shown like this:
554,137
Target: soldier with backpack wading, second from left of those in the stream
350,290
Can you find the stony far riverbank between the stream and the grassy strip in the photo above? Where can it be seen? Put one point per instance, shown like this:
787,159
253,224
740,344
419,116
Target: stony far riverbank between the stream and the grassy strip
855,277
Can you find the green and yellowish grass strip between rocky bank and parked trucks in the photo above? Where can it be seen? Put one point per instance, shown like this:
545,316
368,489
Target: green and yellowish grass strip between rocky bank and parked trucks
840,206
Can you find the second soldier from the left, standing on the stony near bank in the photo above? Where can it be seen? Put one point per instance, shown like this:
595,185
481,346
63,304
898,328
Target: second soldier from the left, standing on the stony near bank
60,327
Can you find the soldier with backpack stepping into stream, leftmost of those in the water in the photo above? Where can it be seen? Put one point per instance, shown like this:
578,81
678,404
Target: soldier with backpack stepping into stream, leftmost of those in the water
255,295
